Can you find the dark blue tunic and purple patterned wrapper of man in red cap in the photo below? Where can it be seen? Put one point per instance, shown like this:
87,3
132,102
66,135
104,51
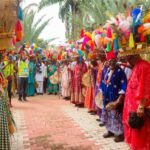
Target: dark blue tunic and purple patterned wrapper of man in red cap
111,91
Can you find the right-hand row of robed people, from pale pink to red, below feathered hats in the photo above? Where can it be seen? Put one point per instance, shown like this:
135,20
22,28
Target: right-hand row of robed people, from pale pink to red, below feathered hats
117,90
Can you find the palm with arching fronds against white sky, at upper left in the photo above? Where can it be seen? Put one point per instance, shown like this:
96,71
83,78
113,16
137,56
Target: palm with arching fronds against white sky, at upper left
32,29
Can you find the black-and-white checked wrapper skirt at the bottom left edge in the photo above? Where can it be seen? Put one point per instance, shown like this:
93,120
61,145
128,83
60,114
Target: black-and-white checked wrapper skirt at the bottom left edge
4,131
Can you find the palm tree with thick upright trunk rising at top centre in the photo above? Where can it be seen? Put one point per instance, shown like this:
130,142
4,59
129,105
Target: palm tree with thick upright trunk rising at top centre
68,12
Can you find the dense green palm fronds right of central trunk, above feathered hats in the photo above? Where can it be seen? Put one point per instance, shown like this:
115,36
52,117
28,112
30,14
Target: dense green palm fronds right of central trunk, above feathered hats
101,10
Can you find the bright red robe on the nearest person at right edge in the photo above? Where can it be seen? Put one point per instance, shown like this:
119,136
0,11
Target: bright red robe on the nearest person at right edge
138,89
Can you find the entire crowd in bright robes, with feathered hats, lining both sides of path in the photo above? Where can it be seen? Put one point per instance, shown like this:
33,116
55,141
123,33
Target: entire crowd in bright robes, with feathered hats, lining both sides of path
103,71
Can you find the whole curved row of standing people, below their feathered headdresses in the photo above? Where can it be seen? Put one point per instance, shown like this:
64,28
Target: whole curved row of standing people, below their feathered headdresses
117,90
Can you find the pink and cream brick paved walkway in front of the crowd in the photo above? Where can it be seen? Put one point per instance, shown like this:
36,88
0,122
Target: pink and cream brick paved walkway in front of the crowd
48,123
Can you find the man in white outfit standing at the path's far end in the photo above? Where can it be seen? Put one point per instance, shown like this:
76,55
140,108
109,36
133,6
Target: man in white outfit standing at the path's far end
39,77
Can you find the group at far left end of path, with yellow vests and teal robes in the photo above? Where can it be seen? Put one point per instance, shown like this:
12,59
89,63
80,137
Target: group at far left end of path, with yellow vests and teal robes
27,75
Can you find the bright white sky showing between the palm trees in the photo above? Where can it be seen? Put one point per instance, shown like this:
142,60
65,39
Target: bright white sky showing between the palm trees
55,28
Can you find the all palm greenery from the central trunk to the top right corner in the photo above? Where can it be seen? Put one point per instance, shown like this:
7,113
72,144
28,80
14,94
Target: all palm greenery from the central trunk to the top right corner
84,13
